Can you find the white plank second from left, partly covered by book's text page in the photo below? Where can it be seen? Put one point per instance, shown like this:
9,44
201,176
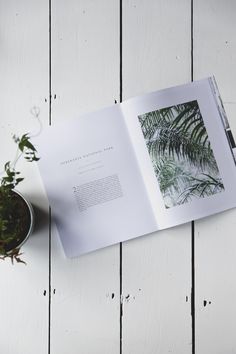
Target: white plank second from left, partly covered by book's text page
85,77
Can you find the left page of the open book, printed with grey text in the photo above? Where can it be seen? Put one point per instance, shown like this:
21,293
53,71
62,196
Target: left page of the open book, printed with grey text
93,182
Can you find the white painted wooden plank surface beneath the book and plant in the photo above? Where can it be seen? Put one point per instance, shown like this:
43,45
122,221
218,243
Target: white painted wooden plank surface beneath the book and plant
55,305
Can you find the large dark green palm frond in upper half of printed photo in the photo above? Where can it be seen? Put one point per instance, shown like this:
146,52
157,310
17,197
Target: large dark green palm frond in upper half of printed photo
178,130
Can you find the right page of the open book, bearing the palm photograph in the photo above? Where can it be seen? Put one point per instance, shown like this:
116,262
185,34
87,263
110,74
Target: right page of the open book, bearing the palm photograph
184,149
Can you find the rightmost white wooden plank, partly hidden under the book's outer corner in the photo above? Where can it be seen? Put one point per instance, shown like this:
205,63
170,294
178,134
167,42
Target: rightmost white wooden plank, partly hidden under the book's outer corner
215,53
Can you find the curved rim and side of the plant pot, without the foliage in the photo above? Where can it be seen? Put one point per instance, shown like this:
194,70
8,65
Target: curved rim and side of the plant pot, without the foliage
26,215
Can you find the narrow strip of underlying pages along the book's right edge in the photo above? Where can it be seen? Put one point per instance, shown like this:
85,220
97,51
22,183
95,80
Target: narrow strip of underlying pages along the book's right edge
224,119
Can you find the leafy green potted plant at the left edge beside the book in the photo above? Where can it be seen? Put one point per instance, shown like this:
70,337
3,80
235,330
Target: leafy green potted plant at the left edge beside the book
16,213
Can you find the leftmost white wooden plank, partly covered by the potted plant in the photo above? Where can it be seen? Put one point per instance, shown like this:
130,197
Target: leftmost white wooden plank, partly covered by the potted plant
24,84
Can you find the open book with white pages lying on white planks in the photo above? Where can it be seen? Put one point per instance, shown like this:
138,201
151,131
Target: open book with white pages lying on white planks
149,163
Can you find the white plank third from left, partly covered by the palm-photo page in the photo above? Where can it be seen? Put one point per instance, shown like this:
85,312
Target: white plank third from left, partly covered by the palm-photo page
156,268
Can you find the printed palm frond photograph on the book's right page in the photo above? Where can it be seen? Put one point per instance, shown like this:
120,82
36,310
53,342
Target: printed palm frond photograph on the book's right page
181,153
